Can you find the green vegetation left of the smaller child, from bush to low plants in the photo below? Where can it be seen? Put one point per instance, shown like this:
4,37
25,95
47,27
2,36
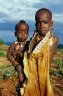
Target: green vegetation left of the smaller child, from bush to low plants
6,70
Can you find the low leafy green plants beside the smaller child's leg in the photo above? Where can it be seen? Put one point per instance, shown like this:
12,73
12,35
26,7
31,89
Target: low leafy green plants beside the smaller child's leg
7,71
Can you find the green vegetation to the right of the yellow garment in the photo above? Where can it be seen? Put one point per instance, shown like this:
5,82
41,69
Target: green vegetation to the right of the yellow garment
57,69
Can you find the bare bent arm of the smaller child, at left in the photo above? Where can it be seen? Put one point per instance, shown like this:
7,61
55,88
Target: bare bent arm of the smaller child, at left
9,55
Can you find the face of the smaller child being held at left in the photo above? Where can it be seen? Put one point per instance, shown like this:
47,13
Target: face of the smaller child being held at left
22,33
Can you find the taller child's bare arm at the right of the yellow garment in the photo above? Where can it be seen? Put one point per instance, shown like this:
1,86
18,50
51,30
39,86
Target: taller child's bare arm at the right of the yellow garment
53,48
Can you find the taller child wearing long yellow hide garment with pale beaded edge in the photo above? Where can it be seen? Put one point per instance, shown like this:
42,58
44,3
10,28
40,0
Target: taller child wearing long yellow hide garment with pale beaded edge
42,45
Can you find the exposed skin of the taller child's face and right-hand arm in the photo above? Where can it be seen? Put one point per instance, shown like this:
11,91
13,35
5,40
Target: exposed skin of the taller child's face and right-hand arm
43,25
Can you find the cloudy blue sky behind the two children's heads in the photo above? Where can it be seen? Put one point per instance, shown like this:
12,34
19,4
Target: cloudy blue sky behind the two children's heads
12,11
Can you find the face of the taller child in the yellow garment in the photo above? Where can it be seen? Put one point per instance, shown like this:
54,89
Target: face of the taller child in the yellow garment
43,23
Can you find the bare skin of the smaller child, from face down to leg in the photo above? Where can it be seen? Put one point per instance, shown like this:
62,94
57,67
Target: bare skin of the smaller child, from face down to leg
21,35
